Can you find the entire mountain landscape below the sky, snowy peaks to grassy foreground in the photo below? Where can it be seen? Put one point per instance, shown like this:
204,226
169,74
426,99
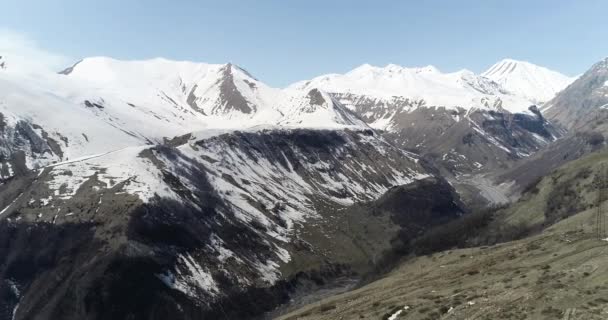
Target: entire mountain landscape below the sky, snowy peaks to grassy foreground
160,189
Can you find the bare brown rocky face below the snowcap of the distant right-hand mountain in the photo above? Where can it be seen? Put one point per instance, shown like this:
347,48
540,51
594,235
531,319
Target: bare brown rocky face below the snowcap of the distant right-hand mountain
461,141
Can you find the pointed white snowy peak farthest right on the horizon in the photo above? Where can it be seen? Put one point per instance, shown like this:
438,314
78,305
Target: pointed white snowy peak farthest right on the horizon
538,84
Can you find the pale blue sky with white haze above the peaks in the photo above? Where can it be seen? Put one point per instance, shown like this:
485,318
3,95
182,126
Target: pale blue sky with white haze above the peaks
284,41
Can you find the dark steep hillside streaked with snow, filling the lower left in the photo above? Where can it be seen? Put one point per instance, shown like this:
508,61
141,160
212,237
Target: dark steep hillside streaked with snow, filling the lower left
202,222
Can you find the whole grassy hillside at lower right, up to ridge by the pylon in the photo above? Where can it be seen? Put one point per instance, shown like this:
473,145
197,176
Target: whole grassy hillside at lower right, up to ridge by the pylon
551,275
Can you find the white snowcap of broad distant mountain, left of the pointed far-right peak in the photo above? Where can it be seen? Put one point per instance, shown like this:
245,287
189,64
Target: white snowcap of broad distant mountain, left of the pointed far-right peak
425,86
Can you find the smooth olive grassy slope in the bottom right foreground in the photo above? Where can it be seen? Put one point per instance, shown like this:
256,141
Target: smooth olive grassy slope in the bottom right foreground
552,276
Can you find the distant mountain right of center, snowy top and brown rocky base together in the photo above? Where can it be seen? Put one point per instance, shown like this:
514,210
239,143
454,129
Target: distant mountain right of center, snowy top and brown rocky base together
463,121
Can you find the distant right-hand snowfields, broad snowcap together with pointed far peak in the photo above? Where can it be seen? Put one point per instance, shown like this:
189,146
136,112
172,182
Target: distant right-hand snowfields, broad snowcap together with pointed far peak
514,90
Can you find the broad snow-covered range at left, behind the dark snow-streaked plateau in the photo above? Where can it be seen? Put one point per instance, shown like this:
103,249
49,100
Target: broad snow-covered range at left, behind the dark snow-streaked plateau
101,105
